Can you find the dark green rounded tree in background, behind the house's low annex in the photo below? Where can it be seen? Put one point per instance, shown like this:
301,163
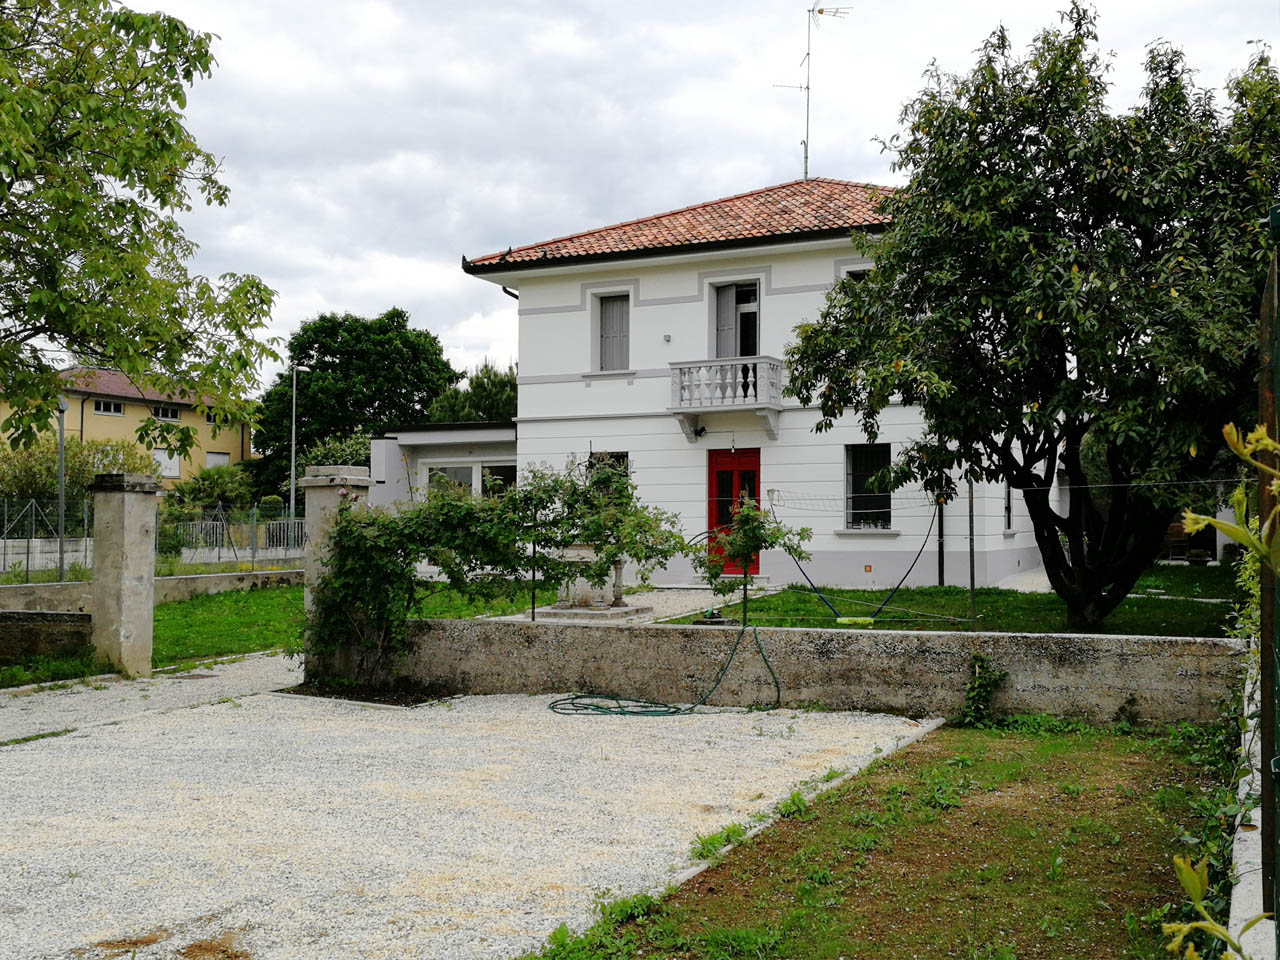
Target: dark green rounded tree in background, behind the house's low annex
365,374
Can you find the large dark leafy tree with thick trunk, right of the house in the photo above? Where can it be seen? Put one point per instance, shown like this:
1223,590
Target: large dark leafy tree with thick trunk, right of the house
1057,272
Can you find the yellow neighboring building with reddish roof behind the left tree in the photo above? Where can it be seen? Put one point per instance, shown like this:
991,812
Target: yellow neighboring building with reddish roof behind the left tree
104,405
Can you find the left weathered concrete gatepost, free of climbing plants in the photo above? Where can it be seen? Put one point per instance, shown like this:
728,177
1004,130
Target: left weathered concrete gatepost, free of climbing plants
125,569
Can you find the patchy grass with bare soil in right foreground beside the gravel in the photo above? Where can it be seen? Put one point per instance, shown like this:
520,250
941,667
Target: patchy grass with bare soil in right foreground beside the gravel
963,845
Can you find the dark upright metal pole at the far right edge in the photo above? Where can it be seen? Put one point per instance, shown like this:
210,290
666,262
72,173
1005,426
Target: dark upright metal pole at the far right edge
1268,392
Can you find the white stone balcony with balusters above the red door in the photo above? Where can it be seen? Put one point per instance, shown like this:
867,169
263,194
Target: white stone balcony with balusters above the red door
737,385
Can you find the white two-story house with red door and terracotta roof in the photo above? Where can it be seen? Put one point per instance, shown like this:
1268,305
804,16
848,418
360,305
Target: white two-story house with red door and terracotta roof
660,342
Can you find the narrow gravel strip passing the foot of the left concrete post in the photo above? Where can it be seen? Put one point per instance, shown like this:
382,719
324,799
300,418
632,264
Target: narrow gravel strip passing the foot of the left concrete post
29,712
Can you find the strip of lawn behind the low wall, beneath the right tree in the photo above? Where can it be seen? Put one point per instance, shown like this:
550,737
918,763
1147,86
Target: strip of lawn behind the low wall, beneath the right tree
1005,611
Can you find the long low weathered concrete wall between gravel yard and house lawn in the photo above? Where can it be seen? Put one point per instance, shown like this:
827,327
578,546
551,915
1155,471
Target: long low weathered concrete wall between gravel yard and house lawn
915,674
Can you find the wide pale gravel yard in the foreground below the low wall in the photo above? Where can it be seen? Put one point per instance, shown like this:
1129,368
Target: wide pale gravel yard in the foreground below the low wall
285,828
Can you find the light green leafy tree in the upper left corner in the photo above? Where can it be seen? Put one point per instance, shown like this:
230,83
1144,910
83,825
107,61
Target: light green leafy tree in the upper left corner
95,167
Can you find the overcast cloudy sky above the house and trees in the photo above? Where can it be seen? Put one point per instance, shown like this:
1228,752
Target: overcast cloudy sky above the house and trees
371,144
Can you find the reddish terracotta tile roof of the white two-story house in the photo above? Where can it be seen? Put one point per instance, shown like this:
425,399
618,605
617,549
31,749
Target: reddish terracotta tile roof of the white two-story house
796,211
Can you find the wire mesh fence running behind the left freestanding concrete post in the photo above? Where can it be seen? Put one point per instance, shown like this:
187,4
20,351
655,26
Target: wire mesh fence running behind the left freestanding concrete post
189,541
